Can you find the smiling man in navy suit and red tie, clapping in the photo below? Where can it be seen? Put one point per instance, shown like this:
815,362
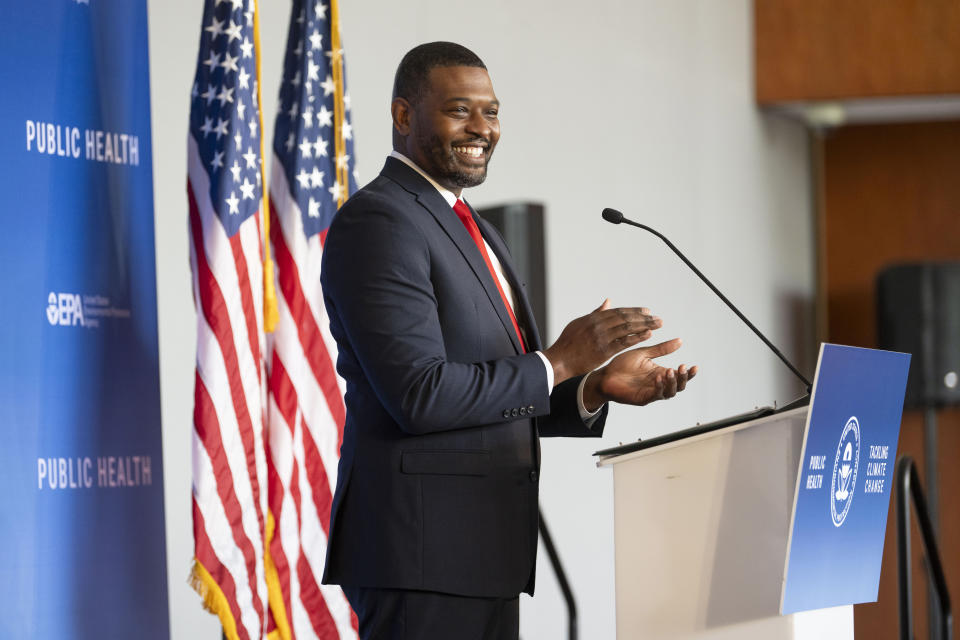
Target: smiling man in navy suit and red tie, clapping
433,530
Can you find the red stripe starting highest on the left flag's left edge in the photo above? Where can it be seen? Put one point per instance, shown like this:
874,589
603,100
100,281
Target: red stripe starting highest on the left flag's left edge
216,314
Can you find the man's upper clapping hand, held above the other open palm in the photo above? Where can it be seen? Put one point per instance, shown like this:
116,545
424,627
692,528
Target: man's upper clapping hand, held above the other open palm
591,340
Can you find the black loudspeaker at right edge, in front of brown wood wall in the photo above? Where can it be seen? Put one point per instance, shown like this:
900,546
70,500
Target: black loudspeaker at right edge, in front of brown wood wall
918,312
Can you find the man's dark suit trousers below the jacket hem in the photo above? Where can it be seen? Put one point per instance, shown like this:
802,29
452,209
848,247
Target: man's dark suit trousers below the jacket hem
398,614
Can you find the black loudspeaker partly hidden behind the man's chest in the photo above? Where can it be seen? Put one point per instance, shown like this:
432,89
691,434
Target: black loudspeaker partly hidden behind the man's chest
521,225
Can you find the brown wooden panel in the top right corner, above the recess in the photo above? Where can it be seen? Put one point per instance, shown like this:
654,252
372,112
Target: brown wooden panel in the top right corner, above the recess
828,49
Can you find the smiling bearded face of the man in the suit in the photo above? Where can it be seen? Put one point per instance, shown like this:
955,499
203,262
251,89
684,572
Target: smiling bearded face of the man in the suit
454,127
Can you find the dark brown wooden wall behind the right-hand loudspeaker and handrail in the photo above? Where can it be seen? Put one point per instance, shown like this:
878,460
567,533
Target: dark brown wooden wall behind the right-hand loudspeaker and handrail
892,193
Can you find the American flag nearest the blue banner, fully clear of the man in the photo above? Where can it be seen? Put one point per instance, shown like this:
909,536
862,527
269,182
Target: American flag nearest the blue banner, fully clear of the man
224,186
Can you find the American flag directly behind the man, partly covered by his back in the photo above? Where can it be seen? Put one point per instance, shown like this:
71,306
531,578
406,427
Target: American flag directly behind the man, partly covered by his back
311,176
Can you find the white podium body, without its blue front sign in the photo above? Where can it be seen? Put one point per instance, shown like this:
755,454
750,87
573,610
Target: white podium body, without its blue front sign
701,531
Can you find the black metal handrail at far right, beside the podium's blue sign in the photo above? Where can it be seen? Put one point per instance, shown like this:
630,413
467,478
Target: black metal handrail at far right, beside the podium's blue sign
908,486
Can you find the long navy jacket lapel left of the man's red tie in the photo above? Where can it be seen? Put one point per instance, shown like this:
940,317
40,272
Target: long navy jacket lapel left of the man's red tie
431,200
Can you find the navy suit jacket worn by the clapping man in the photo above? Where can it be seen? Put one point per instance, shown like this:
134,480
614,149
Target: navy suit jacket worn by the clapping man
439,467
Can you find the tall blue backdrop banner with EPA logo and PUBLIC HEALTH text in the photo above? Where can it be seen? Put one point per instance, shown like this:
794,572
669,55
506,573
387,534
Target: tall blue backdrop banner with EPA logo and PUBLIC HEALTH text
82,525
